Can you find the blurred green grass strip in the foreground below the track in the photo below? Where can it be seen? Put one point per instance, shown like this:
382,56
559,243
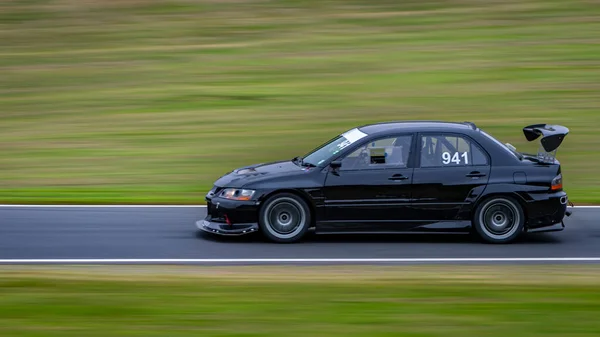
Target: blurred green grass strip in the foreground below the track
407,301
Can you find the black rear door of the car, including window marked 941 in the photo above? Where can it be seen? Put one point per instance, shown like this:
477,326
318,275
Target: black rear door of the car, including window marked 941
452,170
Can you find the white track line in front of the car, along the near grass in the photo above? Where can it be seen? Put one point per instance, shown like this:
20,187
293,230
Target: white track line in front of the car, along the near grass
301,260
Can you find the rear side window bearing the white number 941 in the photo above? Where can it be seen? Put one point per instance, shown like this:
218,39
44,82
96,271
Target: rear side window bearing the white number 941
441,151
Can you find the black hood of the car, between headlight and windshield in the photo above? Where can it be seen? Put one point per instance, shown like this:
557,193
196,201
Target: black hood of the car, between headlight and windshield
252,173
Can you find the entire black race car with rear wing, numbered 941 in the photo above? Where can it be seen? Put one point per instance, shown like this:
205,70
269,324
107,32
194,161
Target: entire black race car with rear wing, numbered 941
399,177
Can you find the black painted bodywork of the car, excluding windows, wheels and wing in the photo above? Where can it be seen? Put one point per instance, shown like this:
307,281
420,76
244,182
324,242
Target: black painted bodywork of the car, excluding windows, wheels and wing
423,199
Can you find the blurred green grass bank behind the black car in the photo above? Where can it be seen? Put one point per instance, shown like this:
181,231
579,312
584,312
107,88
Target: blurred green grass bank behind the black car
136,101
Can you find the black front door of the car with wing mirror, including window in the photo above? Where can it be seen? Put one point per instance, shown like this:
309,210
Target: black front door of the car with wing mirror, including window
372,188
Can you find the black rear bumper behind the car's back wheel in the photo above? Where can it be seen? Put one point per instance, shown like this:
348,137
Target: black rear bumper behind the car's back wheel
547,212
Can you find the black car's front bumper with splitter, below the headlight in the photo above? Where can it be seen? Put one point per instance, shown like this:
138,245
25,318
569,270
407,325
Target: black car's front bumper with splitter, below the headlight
229,217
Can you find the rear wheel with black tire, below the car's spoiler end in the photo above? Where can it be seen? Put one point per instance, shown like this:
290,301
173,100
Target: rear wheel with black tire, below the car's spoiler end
499,220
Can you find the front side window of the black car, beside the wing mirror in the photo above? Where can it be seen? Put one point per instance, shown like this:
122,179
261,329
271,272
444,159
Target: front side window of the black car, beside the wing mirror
390,152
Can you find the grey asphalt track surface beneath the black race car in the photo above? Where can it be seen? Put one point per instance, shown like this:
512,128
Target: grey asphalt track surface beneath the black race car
158,235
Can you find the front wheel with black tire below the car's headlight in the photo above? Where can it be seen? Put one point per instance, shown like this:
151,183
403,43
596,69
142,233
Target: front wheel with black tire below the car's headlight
284,218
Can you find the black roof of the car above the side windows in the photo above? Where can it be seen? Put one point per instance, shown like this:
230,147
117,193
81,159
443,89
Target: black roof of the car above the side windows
410,126
